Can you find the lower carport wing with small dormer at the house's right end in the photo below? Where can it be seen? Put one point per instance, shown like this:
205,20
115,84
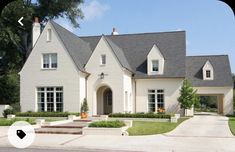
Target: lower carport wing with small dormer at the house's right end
211,76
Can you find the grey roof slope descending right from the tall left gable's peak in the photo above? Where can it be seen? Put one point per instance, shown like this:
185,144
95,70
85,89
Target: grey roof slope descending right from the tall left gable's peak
78,49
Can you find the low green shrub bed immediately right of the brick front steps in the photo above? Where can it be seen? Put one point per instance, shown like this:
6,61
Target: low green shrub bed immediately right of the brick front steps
108,124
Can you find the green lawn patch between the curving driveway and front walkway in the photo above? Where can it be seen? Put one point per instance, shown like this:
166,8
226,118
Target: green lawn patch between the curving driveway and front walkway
150,128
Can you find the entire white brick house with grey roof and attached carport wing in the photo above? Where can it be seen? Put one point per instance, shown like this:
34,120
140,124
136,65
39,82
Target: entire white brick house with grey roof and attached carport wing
117,73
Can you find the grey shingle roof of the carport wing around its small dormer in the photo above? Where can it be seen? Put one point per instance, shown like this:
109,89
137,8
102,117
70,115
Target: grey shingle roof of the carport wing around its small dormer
221,66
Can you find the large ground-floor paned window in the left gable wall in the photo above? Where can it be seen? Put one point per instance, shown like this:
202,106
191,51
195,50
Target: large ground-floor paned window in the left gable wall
50,99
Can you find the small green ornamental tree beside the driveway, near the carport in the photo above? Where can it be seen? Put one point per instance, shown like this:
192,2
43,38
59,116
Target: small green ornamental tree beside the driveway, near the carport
188,96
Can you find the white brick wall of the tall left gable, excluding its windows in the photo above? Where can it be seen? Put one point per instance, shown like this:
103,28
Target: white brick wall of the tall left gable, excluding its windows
66,75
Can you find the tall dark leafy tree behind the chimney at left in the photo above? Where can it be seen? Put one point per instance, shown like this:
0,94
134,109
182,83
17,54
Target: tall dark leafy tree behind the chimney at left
16,41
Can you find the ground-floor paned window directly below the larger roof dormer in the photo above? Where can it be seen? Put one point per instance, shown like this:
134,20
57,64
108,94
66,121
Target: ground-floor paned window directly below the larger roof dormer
155,99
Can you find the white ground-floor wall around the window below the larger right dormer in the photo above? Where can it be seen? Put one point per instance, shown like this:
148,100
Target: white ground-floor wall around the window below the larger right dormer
171,89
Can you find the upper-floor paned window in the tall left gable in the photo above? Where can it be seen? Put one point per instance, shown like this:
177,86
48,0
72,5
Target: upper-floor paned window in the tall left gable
49,61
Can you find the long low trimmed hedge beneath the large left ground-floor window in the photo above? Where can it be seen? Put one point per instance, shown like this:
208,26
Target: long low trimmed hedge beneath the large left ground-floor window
45,114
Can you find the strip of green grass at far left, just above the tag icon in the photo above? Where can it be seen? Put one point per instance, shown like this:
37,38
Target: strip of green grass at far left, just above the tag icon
8,122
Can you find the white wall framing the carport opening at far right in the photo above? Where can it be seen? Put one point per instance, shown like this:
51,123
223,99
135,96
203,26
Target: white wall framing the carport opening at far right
226,91
